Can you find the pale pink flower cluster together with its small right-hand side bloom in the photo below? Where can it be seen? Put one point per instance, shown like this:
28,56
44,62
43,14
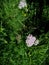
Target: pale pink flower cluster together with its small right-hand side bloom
31,40
